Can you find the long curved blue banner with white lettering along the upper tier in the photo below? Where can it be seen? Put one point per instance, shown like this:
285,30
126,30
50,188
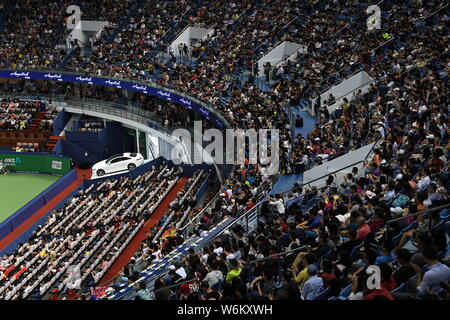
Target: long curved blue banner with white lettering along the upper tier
153,91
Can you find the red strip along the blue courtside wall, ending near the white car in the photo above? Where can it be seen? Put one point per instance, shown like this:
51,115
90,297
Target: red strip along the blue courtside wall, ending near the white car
81,175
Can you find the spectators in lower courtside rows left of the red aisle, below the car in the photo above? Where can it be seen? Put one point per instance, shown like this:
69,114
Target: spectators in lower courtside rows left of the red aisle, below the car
85,236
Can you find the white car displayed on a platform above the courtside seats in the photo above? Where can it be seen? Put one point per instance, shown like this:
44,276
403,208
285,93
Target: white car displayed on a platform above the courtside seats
118,163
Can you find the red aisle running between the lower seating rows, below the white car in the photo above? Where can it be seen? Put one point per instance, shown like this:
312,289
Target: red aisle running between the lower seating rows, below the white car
126,255
